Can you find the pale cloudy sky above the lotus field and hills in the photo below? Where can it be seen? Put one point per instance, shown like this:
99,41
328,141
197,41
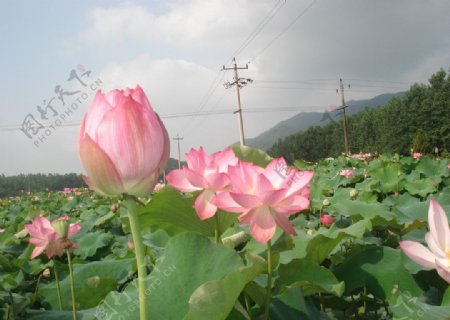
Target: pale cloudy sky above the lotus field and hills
175,49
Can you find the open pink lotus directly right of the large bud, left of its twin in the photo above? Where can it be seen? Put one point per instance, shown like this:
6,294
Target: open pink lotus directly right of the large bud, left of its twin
204,172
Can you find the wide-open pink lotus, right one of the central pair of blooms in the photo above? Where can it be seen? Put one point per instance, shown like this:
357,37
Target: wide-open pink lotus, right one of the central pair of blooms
266,197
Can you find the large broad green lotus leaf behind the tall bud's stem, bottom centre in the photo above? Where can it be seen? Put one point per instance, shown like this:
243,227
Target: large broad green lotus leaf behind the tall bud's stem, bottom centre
196,278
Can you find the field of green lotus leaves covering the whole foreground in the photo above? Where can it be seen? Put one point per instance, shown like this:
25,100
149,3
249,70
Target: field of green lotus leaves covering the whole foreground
351,270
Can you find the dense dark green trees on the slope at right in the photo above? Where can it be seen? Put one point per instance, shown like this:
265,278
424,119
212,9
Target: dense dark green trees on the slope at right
420,120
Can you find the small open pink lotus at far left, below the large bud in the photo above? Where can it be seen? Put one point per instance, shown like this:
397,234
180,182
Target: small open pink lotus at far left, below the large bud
45,237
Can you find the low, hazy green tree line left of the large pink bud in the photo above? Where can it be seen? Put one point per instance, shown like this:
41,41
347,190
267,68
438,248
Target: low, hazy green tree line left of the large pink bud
15,185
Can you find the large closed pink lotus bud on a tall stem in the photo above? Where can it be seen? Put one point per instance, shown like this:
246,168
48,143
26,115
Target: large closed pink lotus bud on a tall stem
122,143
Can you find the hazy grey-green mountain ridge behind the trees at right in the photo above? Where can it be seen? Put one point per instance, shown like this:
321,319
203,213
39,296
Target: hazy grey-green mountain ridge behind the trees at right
304,120
